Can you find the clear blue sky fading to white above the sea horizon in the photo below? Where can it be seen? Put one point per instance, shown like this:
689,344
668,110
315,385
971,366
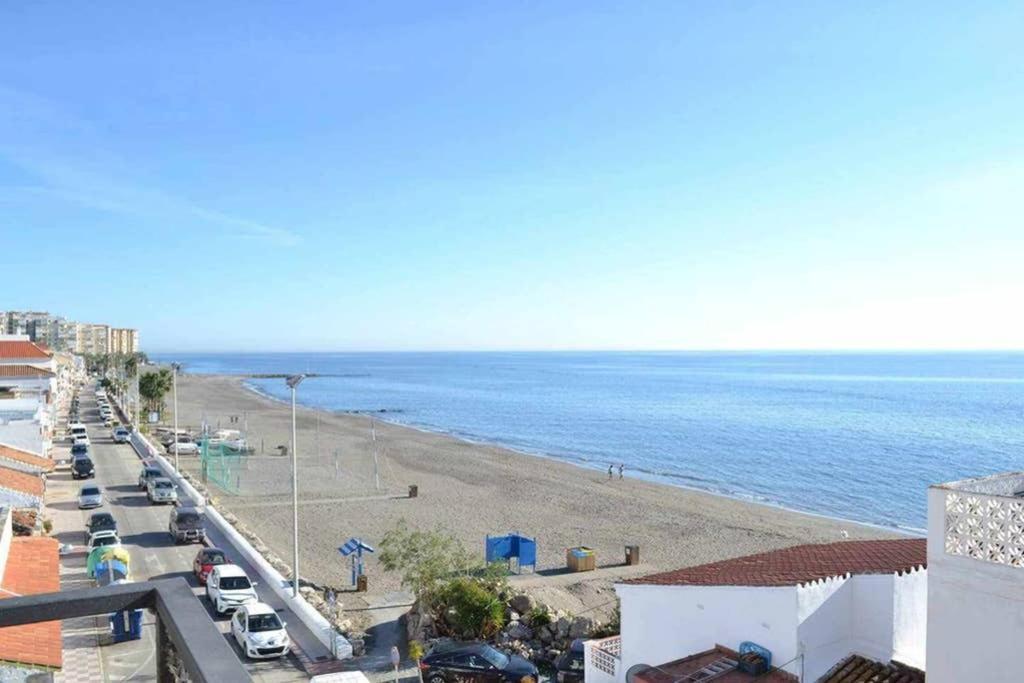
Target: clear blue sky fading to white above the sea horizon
330,176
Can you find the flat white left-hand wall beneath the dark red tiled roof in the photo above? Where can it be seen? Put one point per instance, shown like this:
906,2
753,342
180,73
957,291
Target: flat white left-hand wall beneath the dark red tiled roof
661,624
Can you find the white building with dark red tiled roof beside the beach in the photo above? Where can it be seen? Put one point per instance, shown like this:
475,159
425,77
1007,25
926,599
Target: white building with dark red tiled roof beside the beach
813,608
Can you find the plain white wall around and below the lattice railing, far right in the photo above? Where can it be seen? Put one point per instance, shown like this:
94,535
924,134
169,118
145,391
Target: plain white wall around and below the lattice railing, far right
975,612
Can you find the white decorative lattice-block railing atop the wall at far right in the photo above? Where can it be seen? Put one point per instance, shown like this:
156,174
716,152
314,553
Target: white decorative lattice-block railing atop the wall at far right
986,527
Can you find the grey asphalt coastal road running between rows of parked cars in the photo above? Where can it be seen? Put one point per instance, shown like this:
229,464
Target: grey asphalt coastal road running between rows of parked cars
143,528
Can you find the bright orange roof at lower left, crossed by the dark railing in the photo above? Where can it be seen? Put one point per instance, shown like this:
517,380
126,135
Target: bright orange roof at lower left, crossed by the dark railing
32,568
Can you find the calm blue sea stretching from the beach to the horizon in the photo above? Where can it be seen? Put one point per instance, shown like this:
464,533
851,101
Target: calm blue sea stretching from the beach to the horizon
859,437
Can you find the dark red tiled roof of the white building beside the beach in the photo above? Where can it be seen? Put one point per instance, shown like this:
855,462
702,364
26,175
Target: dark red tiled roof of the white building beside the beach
801,565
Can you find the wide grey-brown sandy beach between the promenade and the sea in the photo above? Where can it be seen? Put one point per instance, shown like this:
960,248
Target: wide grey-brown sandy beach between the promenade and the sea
473,490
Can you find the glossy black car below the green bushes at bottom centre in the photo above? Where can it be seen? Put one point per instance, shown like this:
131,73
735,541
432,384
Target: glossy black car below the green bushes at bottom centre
479,663
